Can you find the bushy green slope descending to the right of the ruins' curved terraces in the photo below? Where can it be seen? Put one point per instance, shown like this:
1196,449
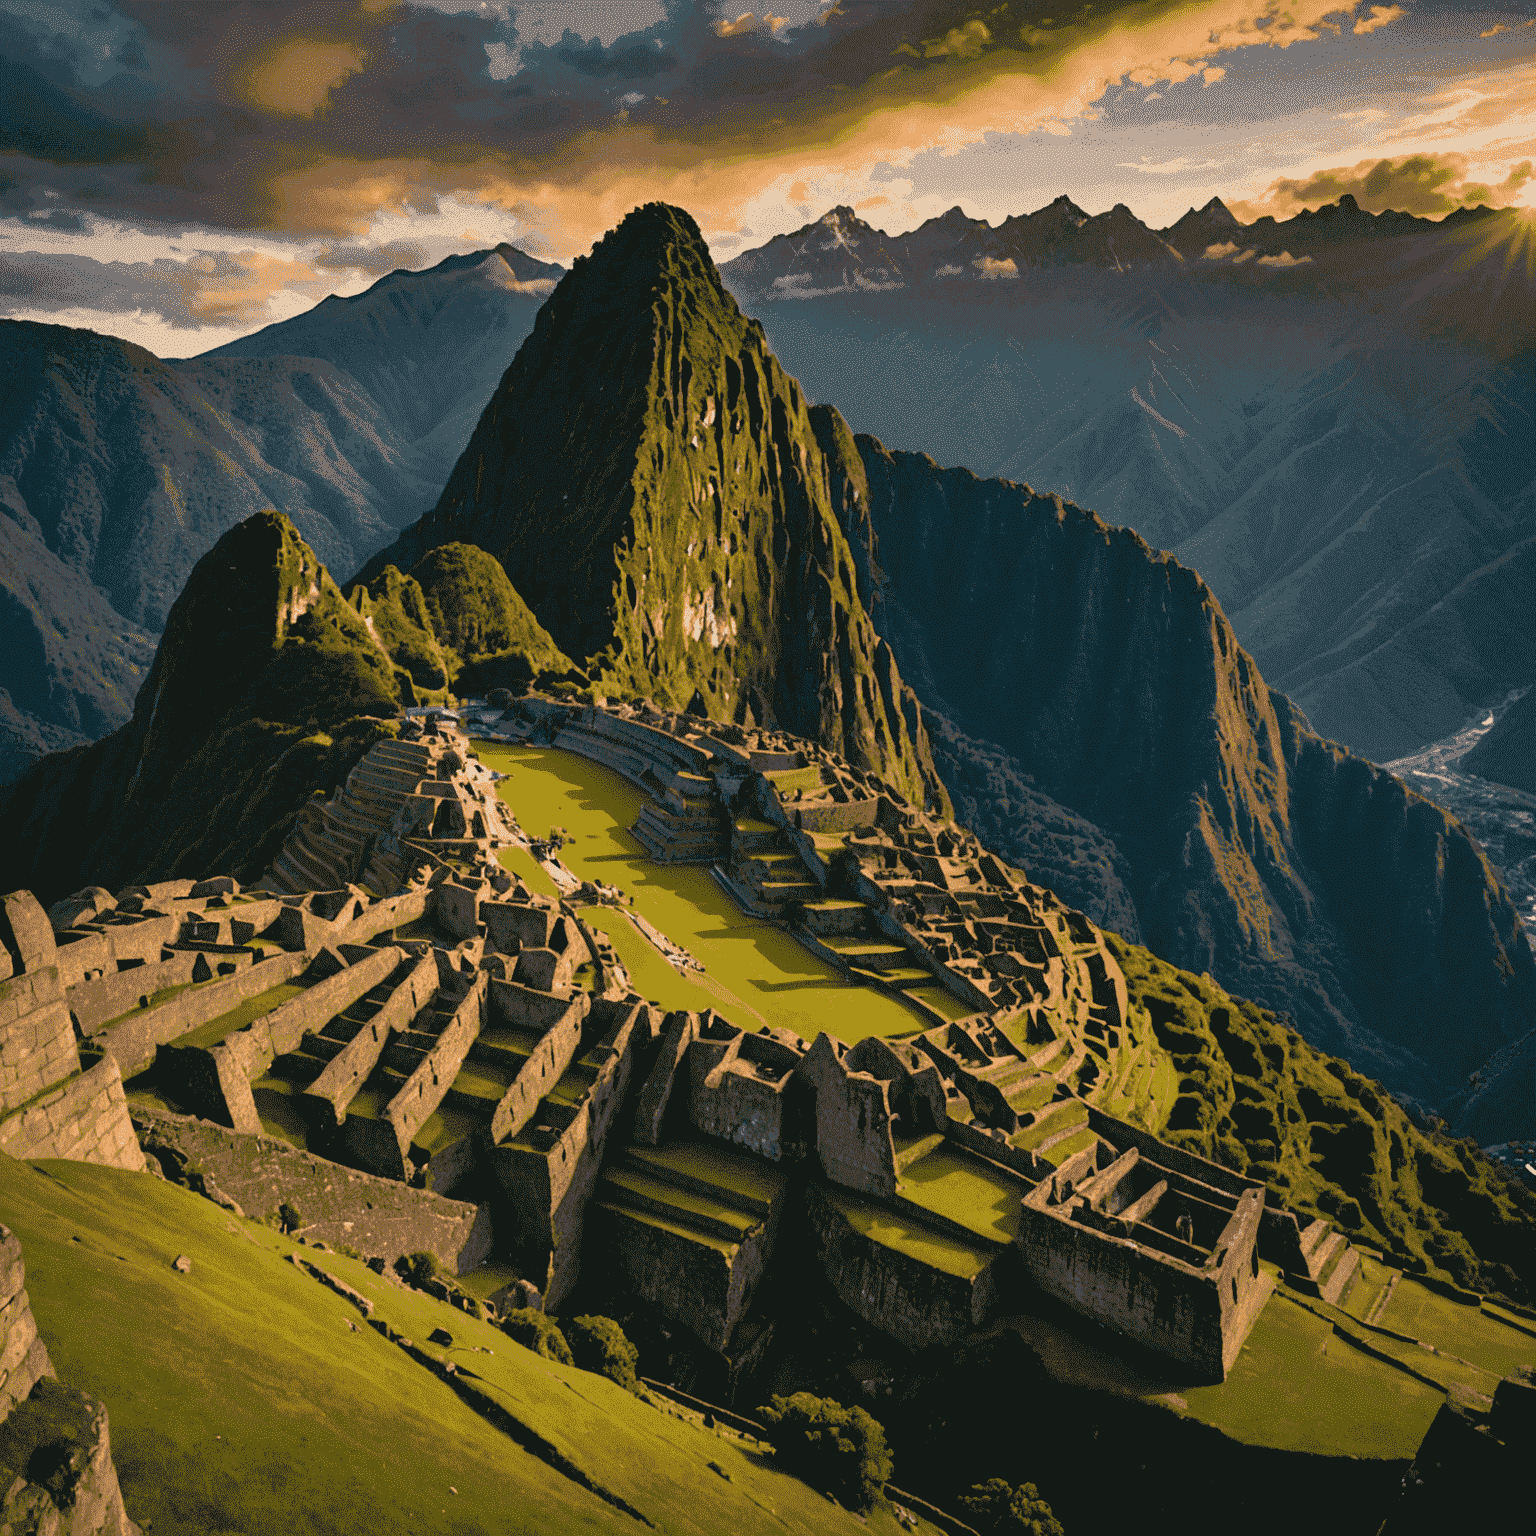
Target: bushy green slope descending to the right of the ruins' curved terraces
1328,1140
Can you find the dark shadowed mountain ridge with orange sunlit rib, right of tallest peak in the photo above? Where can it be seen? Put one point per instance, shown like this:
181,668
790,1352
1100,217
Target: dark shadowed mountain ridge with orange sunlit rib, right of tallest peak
1153,766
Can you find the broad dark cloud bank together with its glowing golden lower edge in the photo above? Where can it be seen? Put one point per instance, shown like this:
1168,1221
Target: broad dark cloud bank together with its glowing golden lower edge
345,128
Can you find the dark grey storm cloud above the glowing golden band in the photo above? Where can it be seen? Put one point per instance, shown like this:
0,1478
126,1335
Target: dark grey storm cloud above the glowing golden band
199,107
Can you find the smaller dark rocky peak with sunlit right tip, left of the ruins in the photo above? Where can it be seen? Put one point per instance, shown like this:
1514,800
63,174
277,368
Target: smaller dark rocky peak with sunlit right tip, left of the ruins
266,687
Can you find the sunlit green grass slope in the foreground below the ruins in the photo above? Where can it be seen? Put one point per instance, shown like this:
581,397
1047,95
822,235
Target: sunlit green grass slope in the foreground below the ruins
245,1400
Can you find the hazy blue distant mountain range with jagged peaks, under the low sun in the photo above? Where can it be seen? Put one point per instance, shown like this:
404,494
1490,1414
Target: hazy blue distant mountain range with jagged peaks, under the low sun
1332,419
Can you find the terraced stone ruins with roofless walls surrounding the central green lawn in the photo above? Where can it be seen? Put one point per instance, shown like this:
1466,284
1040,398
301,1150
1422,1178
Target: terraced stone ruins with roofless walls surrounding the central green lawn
423,1022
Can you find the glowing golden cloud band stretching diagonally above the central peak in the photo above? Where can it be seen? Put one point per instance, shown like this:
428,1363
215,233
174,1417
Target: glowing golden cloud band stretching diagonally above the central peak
741,167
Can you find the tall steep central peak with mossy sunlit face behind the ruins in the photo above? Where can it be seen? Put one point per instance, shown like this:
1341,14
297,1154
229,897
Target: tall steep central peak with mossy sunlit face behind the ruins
649,478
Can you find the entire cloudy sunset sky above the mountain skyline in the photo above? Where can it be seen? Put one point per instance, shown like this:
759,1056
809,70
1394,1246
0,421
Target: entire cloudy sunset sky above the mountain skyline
180,173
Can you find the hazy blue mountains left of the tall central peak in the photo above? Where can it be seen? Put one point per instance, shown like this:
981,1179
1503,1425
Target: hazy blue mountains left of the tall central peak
121,471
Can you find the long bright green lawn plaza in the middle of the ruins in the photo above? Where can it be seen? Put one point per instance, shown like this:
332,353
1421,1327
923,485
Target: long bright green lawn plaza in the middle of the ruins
756,975
